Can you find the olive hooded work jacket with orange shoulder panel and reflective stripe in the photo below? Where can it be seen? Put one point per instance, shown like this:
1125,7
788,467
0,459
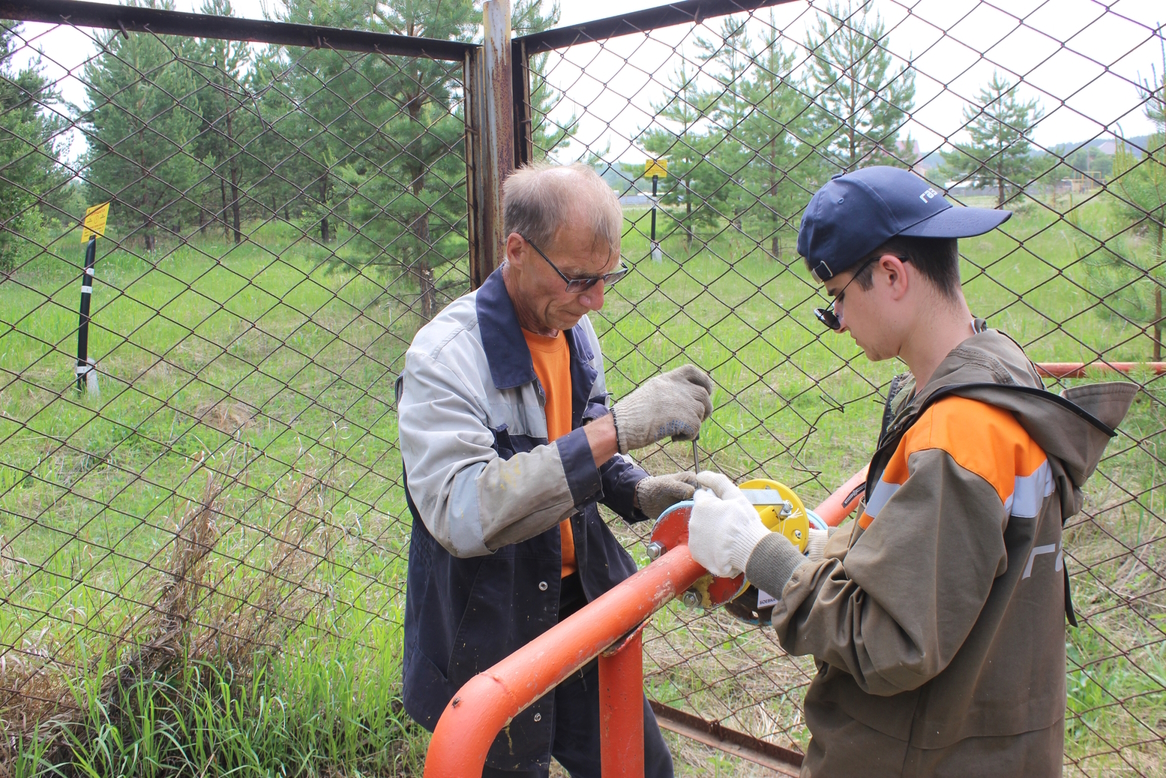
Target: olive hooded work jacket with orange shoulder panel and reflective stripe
938,620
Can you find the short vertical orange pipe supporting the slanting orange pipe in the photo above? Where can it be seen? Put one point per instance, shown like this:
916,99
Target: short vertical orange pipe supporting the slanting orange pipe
622,711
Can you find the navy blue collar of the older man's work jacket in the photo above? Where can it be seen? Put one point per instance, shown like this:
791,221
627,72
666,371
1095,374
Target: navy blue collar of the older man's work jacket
503,341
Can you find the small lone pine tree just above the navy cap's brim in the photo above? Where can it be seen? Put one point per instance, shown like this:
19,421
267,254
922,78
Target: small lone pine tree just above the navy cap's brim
1000,155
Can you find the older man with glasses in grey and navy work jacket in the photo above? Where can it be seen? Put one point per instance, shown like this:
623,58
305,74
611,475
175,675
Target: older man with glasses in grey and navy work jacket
509,446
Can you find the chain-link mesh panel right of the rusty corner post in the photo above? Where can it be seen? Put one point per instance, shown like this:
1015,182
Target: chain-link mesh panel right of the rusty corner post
754,111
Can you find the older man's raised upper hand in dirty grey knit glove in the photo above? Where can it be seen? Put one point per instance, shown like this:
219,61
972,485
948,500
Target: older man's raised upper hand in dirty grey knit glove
673,404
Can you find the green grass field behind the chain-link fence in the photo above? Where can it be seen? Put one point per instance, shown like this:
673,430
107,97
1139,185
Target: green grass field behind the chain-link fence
262,377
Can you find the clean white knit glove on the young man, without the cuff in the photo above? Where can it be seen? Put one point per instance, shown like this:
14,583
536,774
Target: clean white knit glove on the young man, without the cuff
725,528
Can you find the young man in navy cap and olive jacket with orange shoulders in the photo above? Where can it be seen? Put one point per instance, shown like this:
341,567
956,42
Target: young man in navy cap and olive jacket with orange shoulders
938,618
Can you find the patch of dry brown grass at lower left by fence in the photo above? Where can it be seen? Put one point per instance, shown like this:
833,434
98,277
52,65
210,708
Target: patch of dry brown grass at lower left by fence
202,606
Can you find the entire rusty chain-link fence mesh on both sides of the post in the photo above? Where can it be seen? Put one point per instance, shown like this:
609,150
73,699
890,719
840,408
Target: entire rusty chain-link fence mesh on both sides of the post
226,482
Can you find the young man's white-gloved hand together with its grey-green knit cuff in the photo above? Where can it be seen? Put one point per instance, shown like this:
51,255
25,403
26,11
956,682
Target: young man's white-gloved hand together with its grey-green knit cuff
726,532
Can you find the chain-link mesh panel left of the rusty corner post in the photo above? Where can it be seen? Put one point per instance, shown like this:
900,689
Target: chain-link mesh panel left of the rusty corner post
280,222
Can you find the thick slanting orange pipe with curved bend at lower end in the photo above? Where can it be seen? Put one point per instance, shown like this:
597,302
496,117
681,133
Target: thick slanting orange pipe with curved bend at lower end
489,700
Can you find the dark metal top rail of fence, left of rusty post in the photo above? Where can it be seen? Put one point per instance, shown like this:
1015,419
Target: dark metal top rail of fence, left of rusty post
229,29
